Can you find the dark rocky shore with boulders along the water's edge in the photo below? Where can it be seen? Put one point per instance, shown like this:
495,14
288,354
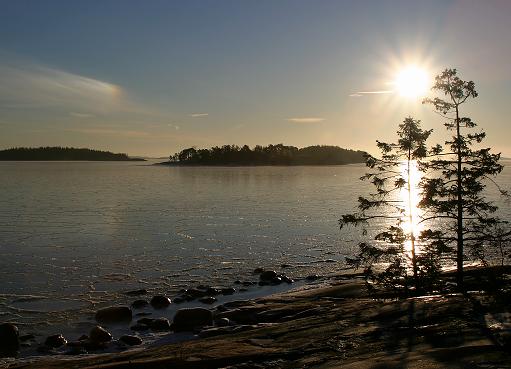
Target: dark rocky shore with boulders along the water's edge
333,323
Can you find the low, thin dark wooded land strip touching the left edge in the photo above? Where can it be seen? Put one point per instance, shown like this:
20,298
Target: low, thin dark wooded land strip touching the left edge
61,153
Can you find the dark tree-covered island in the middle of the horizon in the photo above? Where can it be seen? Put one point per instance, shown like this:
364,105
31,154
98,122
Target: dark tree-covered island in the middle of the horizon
266,155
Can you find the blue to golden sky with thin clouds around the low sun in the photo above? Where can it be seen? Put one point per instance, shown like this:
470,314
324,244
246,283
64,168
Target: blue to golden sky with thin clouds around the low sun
151,78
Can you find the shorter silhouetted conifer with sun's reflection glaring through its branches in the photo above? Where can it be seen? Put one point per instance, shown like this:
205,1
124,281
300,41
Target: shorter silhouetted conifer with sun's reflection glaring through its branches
390,174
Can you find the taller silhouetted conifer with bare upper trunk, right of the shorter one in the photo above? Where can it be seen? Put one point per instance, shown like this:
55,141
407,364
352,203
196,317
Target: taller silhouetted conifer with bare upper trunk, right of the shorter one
455,192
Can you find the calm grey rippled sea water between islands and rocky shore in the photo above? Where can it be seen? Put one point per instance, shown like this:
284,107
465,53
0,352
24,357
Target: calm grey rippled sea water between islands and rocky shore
75,235
